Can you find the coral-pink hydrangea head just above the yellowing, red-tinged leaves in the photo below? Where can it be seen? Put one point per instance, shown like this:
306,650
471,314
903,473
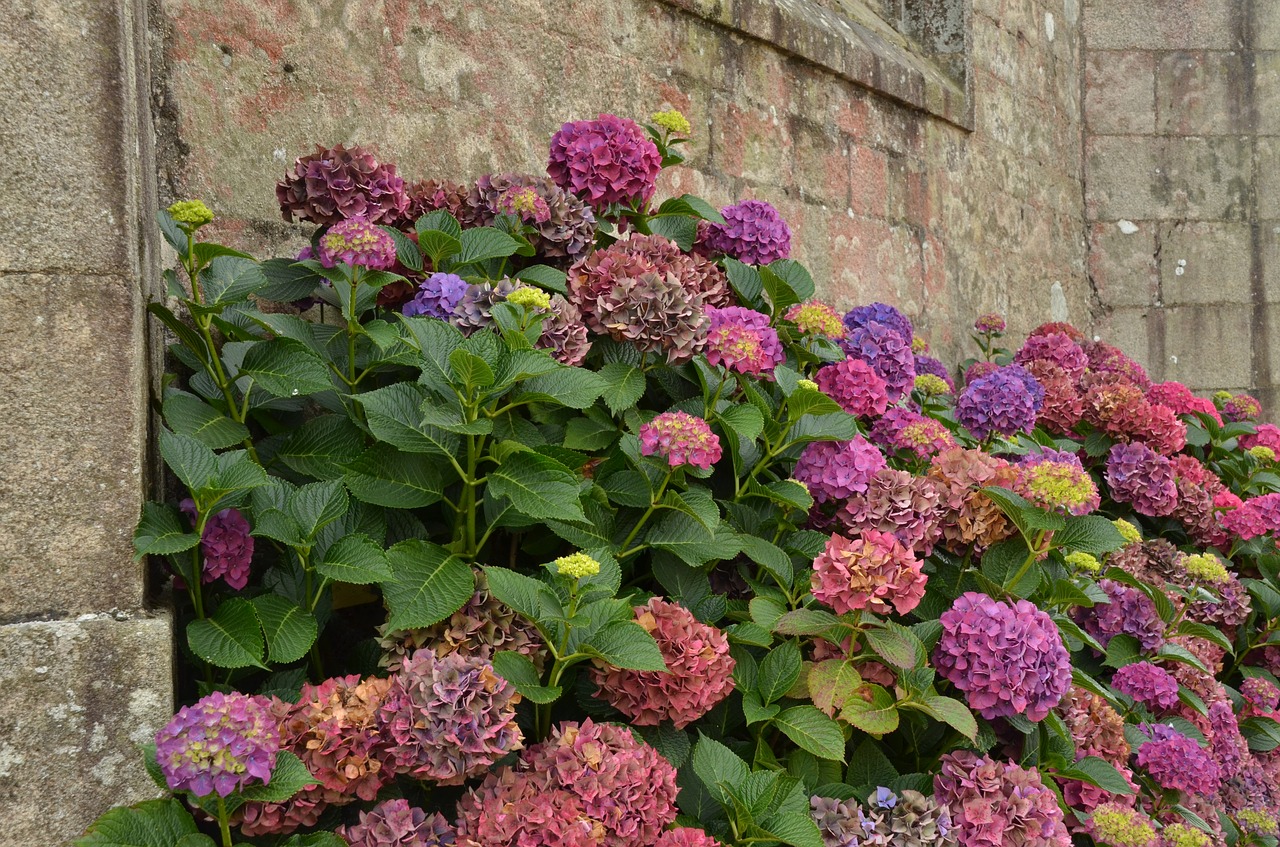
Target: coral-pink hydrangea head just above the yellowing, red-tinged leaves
872,573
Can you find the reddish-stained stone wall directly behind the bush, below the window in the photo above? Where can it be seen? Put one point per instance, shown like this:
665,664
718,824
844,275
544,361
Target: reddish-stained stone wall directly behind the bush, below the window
888,203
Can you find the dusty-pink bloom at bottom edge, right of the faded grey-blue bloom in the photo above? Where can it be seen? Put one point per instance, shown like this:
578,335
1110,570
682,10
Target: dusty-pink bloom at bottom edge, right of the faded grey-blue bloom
995,804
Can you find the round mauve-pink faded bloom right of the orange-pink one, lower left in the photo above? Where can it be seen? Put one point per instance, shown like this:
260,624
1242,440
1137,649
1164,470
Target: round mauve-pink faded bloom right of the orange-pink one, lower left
449,718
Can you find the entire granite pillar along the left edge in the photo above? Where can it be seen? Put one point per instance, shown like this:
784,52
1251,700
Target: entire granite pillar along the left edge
85,666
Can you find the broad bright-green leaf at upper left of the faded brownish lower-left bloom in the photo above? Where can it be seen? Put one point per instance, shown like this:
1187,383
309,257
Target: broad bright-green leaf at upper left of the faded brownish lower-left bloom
428,585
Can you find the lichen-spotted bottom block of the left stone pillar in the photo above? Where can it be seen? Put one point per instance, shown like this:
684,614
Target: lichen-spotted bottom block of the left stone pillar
81,697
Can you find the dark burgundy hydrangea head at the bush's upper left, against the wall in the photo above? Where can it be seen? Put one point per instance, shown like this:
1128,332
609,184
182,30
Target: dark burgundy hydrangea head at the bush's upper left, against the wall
341,184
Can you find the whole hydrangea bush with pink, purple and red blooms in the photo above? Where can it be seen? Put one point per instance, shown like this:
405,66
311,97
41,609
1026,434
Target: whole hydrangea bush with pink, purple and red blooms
545,511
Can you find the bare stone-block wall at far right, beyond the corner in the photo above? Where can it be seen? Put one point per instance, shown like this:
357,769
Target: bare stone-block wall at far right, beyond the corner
1182,113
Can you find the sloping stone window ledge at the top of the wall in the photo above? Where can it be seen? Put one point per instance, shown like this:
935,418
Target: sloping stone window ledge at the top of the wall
845,48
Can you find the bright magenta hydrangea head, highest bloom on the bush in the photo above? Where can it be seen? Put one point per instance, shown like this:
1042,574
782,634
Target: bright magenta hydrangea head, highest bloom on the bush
607,161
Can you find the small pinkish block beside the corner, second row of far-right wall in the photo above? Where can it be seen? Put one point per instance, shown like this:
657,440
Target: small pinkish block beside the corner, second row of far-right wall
1121,93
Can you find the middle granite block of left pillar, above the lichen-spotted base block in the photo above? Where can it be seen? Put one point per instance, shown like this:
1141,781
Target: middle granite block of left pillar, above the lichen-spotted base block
75,431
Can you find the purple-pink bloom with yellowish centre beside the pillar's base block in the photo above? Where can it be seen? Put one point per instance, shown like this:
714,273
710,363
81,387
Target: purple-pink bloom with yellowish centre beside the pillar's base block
221,744
